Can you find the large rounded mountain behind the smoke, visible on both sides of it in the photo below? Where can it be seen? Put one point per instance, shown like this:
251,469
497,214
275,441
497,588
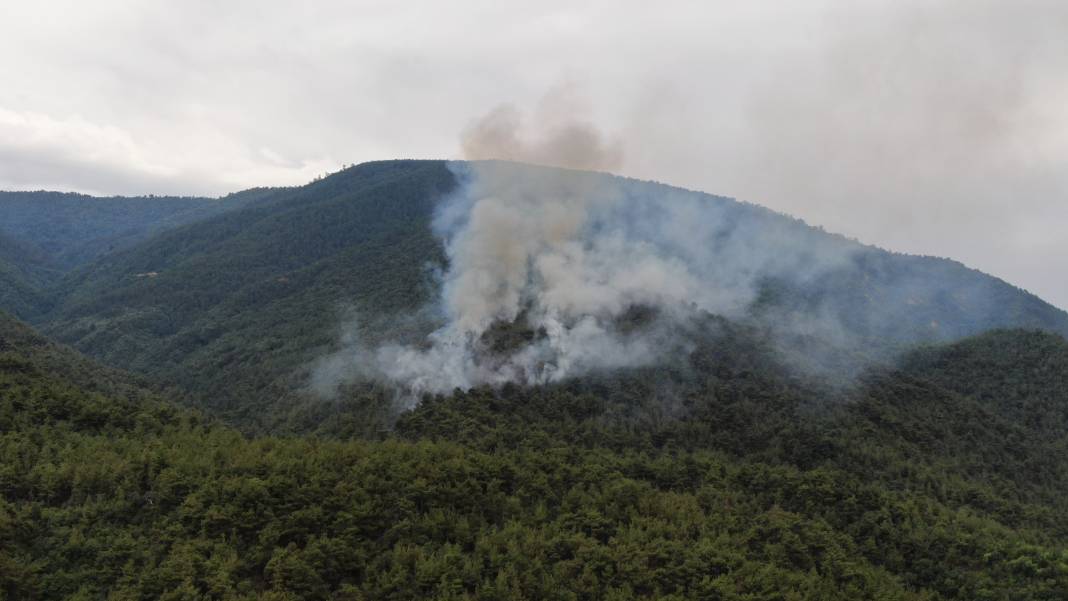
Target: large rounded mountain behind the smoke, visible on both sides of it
235,308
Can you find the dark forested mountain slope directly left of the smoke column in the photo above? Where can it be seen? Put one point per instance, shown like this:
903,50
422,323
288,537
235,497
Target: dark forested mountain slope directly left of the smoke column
255,294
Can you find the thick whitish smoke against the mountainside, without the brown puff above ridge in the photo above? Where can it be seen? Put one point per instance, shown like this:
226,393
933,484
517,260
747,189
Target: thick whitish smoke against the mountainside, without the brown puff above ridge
577,272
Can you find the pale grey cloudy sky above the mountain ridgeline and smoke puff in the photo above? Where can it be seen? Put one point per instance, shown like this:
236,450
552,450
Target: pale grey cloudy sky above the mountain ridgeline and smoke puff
926,128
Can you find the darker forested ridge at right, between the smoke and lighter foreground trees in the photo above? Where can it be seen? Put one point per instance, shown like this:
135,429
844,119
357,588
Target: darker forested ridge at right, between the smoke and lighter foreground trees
991,412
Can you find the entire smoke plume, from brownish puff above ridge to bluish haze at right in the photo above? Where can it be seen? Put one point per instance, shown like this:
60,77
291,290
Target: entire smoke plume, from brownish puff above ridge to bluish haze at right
554,273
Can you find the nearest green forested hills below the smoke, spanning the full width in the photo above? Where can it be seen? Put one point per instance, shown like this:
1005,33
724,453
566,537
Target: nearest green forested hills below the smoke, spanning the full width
915,487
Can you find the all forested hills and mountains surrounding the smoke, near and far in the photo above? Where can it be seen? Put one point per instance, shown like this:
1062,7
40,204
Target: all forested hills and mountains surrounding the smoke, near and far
177,448
